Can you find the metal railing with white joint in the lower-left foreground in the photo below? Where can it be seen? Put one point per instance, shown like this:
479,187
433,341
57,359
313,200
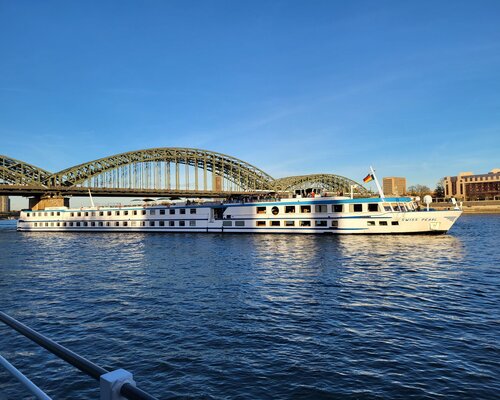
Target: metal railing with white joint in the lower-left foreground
113,384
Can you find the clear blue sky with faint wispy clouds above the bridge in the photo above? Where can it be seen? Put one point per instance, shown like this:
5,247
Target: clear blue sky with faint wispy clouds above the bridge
293,87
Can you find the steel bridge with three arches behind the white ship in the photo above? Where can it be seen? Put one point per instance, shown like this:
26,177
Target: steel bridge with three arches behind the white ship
165,170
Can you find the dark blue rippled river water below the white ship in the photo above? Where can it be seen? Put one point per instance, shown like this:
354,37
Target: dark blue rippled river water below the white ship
259,316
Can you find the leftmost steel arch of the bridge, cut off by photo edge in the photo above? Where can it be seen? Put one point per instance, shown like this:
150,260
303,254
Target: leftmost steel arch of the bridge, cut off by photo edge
17,172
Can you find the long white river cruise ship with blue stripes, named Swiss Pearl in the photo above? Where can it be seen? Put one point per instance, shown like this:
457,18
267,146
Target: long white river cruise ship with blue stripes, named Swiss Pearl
333,215
